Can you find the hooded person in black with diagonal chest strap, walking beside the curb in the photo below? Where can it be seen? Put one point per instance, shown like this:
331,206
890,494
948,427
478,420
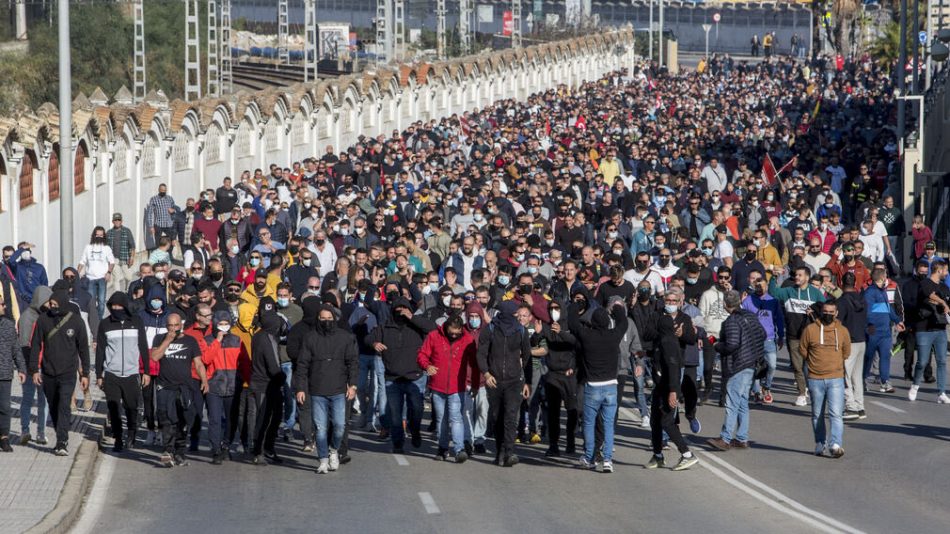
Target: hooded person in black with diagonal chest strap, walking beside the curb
60,336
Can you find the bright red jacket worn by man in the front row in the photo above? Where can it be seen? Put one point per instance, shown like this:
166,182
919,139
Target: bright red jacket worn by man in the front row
455,361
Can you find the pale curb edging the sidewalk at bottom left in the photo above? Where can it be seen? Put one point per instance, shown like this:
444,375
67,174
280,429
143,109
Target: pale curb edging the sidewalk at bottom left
78,483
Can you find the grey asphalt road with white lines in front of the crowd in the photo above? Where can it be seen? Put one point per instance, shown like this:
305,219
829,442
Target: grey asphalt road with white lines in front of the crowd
892,478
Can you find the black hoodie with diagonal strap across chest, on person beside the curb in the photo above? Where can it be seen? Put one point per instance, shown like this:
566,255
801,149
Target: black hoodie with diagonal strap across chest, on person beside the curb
58,338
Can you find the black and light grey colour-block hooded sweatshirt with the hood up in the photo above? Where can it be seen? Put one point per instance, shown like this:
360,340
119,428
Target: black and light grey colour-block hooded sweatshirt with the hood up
121,346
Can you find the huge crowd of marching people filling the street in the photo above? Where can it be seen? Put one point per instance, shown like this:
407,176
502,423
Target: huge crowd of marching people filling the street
500,267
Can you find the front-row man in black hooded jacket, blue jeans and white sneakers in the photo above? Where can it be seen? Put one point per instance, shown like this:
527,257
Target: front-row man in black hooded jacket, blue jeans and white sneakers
327,367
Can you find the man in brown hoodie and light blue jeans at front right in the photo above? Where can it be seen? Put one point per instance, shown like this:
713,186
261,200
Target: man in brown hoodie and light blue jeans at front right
825,347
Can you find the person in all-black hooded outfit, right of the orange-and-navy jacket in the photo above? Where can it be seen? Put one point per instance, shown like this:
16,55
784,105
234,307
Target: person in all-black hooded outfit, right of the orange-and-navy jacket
267,379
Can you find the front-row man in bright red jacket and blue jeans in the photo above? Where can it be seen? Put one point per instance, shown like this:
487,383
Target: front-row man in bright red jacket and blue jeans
448,356
